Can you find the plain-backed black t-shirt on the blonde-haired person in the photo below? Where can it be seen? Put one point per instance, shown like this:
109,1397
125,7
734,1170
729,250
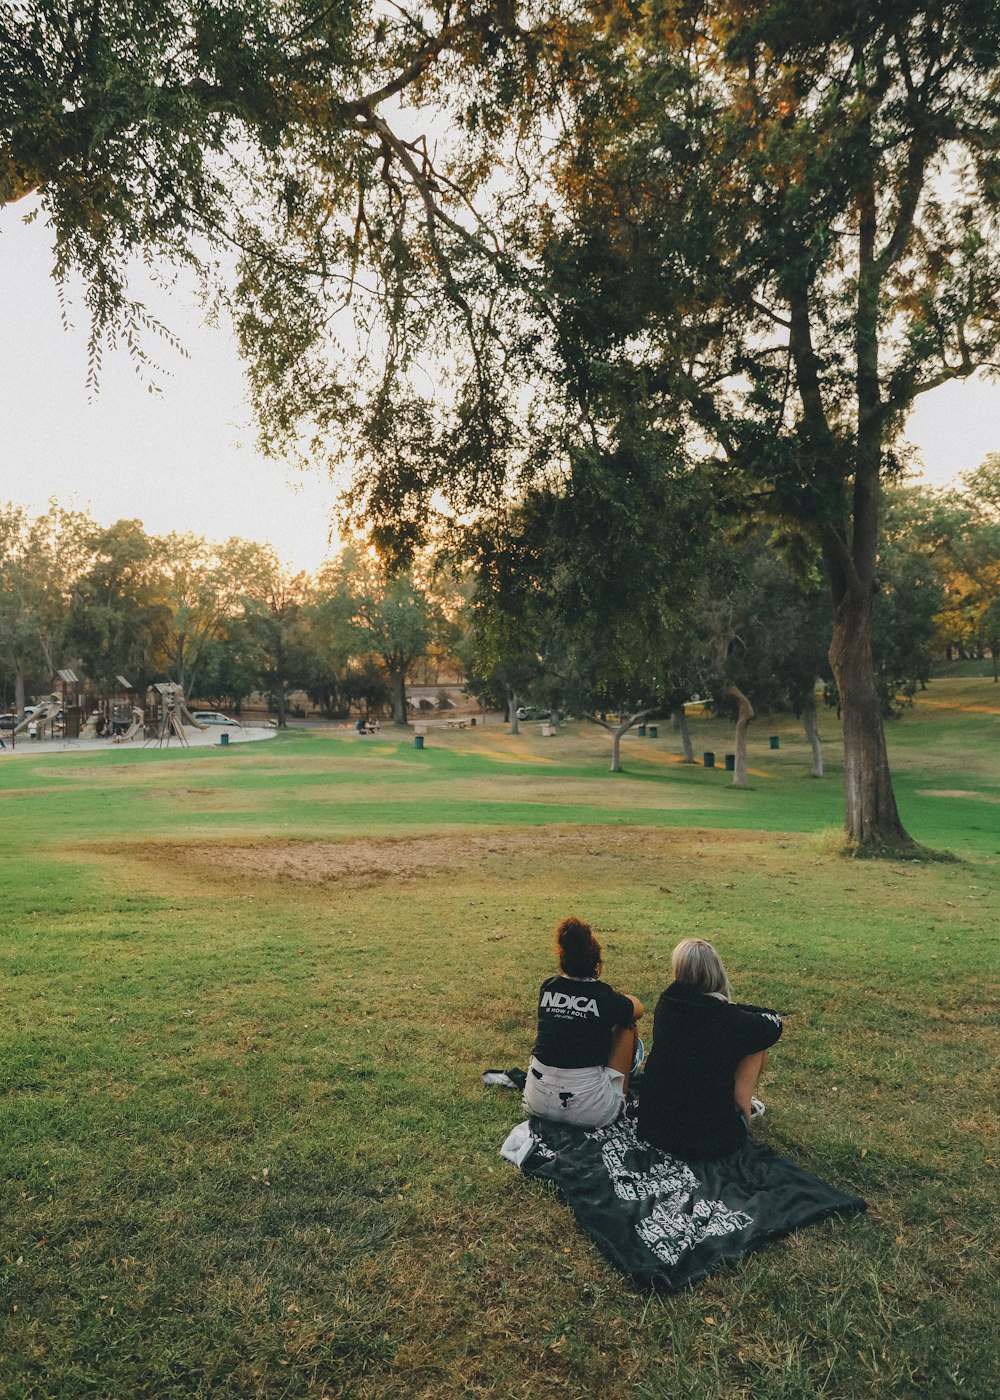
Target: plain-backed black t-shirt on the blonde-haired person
687,1104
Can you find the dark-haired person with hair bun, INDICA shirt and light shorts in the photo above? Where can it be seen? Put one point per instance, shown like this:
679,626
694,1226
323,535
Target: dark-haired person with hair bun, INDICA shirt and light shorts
579,1070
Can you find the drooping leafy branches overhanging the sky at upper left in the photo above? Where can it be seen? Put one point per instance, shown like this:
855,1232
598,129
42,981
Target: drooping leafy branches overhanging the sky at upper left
310,162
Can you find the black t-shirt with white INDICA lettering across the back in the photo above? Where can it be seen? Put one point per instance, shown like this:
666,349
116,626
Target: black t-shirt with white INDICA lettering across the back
576,1020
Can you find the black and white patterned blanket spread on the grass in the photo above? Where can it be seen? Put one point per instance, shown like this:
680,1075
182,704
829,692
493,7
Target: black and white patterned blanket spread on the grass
663,1221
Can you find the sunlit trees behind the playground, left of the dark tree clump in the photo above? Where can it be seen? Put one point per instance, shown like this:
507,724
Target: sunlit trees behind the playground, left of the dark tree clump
222,621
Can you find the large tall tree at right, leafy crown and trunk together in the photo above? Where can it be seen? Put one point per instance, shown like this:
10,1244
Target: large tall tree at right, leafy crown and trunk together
778,225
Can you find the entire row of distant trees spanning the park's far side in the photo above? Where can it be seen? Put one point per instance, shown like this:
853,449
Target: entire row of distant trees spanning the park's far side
617,597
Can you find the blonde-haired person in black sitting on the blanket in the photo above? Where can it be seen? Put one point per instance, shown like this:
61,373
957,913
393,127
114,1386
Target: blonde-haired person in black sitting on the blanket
708,1055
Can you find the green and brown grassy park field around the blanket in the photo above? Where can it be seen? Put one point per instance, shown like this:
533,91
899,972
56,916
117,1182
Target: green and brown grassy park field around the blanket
249,995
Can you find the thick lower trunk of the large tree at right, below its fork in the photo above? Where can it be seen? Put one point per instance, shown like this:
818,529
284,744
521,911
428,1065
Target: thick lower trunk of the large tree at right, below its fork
872,820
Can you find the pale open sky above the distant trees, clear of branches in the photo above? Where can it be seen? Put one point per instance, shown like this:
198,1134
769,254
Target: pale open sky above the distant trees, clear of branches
184,460
